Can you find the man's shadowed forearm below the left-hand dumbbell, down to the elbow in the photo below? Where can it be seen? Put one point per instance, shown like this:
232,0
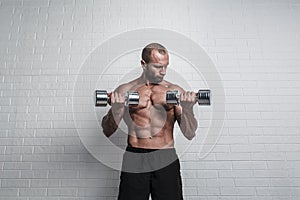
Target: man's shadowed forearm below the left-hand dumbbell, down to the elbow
110,123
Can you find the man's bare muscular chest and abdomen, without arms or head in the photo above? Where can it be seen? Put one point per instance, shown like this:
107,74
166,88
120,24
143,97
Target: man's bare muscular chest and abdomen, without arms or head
151,122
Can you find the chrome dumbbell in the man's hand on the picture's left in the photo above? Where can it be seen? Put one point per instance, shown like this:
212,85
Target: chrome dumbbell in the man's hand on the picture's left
102,98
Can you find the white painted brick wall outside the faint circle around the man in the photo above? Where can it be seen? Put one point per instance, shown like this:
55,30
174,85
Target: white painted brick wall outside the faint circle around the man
254,44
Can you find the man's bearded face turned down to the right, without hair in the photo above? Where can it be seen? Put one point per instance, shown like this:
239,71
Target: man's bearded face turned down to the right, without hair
155,70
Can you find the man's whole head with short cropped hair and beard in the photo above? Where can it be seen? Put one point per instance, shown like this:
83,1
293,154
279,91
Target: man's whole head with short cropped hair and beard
155,59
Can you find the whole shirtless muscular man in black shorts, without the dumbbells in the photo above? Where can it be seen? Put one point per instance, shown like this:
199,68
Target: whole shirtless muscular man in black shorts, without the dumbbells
150,128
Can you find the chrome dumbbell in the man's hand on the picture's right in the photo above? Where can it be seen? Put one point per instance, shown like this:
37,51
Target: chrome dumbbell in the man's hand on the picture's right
203,97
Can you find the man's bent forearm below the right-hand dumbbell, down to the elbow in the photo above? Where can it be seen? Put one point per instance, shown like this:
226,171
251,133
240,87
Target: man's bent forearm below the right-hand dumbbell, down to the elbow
188,123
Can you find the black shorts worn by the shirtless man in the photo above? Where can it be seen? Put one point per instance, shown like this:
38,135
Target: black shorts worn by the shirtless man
162,183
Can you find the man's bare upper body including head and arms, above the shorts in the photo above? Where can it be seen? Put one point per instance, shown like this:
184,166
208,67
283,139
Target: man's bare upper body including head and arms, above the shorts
151,122
